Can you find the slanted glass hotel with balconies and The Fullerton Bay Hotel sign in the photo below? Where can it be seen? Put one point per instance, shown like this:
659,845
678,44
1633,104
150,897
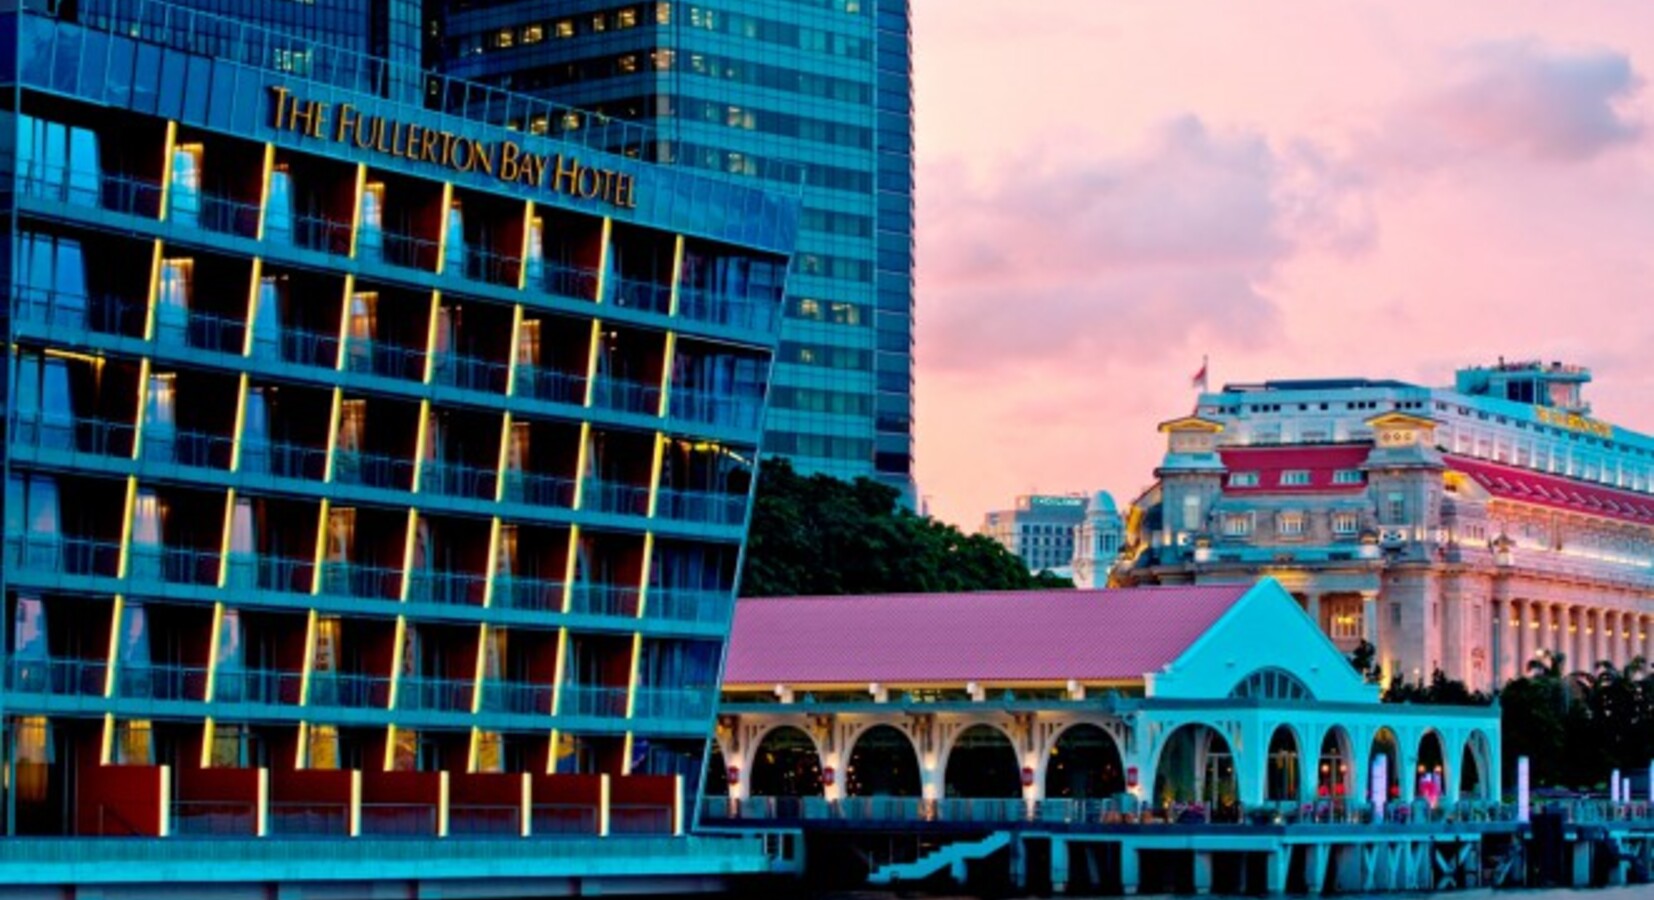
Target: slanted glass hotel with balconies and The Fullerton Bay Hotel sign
373,467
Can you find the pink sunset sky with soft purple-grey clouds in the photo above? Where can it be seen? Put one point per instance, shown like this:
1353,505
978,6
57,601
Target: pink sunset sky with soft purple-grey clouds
1111,191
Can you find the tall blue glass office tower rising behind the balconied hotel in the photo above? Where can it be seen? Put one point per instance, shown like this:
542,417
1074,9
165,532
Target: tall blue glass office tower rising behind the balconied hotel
813,93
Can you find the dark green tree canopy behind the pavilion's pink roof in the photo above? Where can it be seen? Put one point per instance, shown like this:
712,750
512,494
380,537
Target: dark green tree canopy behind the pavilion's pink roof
821,535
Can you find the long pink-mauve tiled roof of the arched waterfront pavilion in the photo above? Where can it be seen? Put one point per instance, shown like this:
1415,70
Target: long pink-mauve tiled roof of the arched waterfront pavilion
992,638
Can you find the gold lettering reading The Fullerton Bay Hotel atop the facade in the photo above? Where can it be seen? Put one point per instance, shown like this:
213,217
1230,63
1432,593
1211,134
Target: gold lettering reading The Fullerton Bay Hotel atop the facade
505,161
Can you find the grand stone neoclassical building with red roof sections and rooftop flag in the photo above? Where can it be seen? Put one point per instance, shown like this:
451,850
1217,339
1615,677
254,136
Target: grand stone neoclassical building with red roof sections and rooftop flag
1466,530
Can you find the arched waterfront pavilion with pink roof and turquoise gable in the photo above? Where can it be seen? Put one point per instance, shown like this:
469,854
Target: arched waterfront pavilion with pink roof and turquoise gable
1076,704
